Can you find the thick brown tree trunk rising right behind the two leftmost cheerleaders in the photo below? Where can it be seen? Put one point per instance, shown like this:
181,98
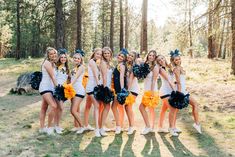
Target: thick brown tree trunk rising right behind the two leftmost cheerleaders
59,25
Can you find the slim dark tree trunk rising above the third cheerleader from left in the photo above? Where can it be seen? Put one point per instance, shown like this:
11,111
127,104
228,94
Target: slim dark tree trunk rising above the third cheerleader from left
79,25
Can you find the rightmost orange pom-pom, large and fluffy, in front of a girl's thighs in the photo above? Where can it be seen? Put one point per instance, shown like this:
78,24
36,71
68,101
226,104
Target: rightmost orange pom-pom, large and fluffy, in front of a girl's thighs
150,100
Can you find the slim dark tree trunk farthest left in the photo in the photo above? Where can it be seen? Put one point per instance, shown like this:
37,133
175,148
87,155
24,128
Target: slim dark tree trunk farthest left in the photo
18,30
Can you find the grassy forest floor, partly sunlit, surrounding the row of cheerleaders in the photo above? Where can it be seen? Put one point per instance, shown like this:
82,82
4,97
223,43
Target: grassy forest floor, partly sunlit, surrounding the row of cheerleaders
208,81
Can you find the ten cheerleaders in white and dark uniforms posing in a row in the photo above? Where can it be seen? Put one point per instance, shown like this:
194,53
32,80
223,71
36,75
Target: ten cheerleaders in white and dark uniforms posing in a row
56,72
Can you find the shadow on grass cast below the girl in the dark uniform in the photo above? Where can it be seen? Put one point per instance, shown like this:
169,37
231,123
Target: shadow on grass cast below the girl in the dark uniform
114,148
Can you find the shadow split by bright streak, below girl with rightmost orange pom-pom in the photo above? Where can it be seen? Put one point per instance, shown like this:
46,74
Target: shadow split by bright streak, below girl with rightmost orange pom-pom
151,147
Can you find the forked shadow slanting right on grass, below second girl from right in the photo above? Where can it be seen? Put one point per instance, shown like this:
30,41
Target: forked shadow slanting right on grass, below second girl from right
177,149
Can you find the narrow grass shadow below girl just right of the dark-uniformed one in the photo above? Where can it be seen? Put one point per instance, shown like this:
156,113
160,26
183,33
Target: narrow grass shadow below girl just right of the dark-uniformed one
127,150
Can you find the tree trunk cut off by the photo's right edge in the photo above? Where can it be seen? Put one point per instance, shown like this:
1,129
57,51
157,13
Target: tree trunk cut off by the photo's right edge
233,36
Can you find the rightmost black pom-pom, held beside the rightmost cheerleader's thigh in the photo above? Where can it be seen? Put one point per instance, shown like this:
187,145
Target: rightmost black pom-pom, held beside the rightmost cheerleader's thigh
178,100
